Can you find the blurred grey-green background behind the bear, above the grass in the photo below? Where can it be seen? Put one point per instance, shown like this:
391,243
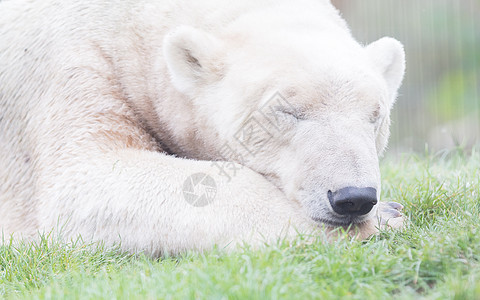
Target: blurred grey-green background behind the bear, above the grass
439,103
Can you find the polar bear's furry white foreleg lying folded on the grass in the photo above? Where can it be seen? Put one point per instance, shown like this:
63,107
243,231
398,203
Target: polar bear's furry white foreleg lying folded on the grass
152,202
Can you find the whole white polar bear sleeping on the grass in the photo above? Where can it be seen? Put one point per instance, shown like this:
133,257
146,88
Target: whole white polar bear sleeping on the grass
174,125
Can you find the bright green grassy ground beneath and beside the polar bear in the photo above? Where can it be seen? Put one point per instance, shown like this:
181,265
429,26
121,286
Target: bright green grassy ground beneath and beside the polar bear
436,257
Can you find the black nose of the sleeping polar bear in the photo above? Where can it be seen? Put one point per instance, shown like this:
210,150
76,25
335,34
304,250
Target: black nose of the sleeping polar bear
353,201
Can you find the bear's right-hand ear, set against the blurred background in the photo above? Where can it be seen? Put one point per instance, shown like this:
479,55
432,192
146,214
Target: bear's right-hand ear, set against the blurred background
388,58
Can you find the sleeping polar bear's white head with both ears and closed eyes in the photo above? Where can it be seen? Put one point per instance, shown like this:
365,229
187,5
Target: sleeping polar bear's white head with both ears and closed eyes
309,109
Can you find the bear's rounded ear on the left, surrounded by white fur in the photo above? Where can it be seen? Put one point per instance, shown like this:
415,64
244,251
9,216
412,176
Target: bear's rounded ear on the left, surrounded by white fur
192,59
